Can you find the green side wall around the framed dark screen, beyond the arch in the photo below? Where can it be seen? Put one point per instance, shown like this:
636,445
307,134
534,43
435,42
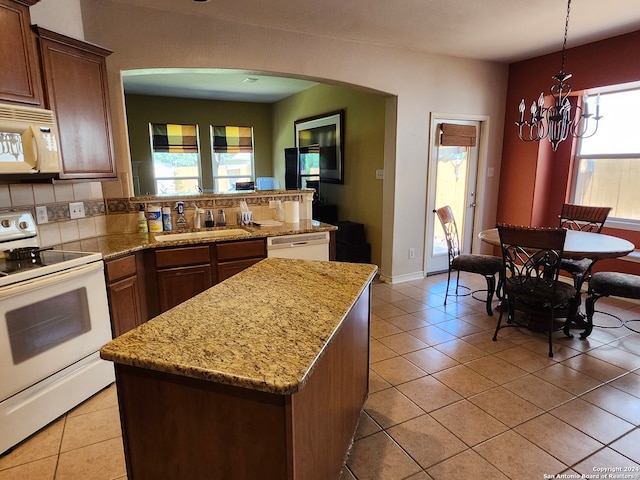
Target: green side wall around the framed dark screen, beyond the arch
359,199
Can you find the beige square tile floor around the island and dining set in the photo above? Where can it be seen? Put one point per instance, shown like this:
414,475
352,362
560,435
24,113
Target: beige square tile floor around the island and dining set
445,401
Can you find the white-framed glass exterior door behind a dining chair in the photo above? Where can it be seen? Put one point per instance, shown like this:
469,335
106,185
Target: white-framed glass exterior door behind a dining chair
452,181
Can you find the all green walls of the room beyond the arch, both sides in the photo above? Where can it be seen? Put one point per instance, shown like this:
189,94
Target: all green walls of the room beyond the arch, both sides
359,199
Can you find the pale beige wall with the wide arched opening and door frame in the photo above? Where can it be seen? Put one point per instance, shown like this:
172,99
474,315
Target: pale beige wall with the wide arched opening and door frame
144,38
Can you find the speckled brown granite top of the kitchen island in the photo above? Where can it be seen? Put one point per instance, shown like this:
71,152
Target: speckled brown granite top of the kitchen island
263,329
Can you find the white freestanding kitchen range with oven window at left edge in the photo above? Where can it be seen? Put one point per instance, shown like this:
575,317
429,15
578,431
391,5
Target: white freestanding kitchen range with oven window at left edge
54,318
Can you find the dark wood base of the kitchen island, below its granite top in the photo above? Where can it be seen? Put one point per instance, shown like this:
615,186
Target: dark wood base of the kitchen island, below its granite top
177,428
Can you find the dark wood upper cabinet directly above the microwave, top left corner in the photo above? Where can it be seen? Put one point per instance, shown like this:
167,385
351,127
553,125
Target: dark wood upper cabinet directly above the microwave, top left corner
19,72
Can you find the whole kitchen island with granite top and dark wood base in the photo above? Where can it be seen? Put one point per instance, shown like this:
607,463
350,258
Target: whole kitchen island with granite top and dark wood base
261,376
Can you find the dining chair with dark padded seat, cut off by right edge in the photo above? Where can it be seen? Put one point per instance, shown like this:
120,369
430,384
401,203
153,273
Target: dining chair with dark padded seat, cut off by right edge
614,284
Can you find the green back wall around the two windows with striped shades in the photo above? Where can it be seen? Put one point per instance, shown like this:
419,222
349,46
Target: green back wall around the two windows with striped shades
143,109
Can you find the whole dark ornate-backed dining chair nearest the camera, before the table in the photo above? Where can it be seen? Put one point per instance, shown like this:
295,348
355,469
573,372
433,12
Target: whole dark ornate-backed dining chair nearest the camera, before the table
531,260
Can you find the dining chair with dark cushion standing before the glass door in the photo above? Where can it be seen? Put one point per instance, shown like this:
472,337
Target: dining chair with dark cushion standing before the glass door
486,265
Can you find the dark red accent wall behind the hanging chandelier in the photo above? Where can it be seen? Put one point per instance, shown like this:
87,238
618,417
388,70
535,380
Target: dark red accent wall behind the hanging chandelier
533,178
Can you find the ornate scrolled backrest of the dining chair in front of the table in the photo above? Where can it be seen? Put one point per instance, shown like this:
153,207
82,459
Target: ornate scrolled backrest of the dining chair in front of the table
531,258
